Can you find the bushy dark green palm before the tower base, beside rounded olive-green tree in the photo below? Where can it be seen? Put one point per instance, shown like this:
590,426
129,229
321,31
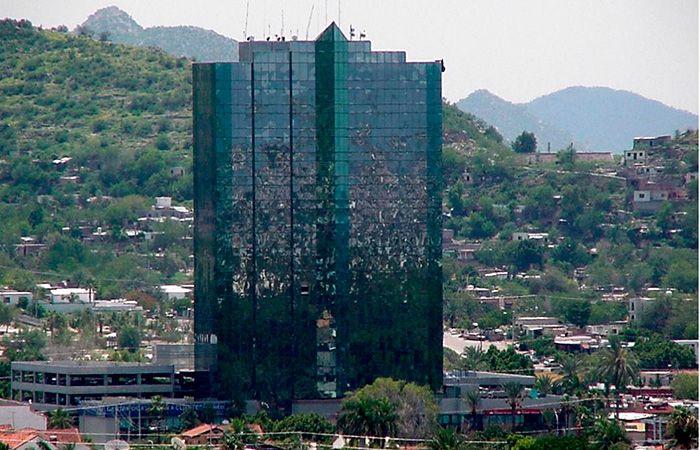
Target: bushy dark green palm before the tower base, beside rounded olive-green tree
368,416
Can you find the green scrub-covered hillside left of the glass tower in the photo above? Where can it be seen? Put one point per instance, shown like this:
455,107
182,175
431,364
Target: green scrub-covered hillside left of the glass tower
123,115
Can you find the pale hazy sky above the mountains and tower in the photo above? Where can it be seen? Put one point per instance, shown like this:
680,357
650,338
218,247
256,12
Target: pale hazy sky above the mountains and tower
518,49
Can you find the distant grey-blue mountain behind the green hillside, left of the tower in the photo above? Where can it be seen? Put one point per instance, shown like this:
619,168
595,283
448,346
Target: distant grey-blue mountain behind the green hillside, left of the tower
115,25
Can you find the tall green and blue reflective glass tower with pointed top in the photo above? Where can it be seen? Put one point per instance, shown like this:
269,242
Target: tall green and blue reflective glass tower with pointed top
317,219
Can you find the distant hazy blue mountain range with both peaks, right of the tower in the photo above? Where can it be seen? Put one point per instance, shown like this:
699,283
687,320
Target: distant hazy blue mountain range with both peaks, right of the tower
593,118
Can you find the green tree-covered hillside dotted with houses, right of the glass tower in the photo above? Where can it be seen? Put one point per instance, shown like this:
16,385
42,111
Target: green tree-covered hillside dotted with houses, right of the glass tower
594,244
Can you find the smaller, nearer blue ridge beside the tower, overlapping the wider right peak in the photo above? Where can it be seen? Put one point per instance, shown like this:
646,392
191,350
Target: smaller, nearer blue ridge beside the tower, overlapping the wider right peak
511,119
